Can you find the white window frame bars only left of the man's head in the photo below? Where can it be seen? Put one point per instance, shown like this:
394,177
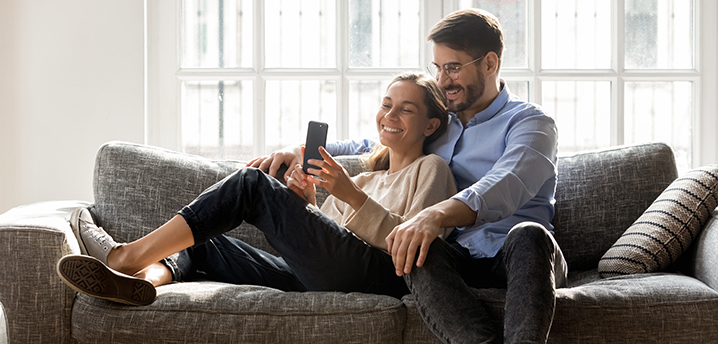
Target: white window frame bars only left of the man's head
164,75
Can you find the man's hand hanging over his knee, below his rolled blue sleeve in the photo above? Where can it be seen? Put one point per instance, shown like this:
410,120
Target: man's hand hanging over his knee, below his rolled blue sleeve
417,233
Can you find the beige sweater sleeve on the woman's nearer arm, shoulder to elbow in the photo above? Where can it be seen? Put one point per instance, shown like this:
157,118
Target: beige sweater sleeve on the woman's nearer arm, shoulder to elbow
431,183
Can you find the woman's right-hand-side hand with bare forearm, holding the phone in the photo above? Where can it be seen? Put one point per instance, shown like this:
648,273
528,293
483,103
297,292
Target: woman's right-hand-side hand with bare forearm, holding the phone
336,180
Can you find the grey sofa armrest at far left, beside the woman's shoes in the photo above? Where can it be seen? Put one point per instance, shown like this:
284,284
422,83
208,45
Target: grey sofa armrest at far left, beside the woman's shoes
37,303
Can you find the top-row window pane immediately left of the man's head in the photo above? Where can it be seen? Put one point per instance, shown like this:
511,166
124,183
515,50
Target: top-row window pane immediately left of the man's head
385,33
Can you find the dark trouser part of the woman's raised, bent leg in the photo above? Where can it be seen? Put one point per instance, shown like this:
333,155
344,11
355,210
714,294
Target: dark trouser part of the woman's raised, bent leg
323,255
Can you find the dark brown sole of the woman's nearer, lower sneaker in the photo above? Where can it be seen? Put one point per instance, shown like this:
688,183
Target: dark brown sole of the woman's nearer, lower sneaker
90,276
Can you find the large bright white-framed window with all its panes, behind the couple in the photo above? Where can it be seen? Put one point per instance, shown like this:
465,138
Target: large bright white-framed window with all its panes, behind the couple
250,74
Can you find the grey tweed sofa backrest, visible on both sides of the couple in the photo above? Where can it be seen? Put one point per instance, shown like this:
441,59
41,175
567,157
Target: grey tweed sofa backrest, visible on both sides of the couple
599,194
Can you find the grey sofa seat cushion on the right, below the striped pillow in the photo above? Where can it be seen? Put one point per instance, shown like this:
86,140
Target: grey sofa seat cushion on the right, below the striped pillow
641,308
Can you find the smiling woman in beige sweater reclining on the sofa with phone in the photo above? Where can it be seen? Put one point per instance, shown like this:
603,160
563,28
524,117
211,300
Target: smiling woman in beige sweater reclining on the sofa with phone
340,247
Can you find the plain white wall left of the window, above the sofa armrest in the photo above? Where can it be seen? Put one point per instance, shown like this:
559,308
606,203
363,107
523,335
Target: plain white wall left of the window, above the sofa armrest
71,78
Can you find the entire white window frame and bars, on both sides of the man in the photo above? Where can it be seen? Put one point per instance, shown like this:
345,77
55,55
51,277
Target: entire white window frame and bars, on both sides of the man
163,76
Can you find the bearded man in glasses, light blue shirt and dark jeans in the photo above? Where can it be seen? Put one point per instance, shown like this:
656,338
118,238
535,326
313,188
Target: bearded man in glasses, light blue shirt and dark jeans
502,152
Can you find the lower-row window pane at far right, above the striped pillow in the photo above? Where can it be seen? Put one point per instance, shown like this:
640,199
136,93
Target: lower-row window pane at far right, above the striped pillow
660,111
